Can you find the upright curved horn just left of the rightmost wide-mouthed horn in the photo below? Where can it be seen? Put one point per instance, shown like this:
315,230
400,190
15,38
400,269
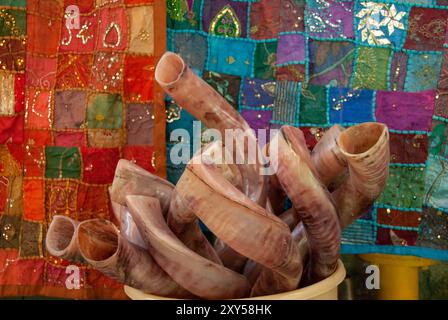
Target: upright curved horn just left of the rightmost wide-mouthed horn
310,199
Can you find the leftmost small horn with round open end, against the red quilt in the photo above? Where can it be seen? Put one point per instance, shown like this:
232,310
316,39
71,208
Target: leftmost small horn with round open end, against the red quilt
60,240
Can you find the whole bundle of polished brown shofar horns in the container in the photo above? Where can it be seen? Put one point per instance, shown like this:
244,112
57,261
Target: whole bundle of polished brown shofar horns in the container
158,246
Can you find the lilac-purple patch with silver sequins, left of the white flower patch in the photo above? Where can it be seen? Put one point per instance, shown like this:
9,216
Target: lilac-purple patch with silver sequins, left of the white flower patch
334,20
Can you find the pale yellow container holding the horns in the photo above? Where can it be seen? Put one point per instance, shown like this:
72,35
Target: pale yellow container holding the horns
326,289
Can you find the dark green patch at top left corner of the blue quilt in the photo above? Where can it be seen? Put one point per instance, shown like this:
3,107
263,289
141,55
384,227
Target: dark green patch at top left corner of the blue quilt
180,17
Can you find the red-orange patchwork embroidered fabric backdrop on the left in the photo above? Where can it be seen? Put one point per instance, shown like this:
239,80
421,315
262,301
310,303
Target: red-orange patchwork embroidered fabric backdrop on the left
72,102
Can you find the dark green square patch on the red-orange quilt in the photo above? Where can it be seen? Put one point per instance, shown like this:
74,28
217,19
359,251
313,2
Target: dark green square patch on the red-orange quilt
62,162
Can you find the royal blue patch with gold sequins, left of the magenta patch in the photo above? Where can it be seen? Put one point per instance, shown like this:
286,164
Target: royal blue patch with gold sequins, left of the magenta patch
353,106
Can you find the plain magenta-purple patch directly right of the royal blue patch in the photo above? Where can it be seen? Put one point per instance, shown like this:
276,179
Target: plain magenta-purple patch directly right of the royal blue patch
405,110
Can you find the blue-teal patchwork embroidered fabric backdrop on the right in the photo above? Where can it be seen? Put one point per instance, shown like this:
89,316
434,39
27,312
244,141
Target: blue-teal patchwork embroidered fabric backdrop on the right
316,63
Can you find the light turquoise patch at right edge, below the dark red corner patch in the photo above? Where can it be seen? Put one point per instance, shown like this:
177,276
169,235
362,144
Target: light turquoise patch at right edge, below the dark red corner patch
423,71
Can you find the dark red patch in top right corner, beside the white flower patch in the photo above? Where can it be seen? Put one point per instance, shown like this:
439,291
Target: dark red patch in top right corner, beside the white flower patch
426,29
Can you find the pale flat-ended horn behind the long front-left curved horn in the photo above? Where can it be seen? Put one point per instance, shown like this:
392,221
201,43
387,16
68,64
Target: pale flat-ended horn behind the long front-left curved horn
131,179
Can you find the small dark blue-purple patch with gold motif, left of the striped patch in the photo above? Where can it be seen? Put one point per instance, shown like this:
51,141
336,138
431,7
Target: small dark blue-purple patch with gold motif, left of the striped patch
258,93
